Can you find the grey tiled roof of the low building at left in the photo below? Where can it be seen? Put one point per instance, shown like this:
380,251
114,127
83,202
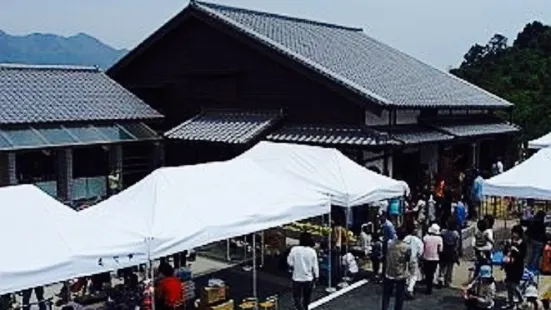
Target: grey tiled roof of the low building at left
44,94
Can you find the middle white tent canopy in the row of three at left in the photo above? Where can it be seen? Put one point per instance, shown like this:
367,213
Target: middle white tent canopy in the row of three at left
181,208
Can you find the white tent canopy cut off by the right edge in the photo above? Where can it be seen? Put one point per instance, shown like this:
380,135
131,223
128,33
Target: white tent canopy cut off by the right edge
530,179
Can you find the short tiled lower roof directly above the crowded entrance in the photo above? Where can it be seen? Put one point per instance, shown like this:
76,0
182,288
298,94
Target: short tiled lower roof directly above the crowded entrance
418,134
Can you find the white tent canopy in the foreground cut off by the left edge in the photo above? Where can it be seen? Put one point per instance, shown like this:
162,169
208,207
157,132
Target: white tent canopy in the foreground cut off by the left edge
44,241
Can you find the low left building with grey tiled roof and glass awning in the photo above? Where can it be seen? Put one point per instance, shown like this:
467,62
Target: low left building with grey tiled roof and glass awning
66,129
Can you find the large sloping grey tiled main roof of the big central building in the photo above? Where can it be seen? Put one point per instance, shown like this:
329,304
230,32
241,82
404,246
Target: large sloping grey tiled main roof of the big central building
360,63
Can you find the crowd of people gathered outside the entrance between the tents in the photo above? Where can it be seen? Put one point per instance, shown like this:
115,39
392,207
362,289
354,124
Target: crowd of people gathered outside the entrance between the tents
424,243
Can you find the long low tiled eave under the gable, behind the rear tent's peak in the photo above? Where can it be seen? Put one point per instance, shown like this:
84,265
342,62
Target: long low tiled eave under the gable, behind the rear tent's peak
330,134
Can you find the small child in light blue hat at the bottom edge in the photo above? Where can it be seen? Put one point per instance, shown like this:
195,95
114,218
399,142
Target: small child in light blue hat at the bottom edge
481,292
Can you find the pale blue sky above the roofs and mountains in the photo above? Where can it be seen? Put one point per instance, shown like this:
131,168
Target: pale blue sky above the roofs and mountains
438,32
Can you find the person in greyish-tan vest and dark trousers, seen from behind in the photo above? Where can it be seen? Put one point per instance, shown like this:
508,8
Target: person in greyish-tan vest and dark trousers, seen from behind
397,261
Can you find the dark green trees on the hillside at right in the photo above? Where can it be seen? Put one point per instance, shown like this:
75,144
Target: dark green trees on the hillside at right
519,72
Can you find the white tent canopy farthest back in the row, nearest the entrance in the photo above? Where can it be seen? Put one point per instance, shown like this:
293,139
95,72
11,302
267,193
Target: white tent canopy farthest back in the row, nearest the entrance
327,171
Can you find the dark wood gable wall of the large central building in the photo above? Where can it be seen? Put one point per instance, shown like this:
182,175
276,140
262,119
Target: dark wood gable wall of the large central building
201,65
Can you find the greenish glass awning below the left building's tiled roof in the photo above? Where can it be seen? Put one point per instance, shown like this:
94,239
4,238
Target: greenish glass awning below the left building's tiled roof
40,136
